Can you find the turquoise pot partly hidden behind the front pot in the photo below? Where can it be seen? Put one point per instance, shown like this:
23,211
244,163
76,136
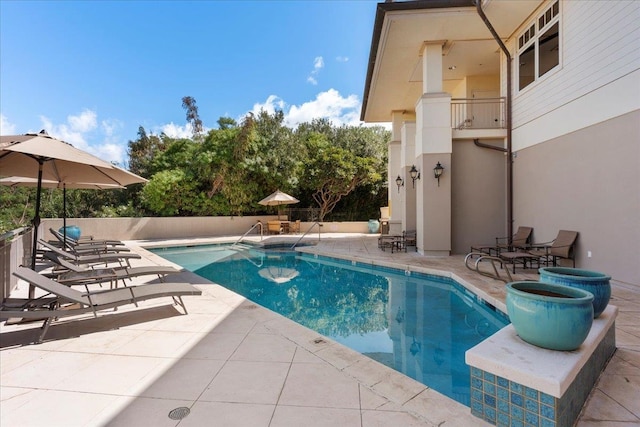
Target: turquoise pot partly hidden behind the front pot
592,281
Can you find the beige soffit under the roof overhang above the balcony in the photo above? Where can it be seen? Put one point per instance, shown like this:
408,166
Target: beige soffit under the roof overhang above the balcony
395,76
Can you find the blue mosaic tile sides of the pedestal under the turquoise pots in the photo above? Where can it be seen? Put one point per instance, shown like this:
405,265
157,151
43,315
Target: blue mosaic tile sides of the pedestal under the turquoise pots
508,404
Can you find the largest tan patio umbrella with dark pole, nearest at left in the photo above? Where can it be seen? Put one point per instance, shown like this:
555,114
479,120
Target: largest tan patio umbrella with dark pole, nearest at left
41,156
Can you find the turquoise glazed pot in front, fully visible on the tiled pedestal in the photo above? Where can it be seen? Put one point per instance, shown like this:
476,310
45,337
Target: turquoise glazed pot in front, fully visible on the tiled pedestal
551,316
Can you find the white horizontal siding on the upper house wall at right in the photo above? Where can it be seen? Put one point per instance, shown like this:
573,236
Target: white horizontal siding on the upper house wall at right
600,43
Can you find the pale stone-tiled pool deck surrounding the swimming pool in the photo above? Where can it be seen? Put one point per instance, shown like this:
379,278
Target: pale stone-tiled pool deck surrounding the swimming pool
232,363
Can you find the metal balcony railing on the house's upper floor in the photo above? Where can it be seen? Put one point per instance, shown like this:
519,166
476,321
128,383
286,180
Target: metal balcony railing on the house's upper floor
482,113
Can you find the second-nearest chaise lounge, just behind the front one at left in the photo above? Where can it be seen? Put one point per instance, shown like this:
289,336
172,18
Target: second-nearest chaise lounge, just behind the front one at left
72,274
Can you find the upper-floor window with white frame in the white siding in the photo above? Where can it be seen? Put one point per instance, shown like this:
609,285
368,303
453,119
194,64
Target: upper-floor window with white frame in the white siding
538,46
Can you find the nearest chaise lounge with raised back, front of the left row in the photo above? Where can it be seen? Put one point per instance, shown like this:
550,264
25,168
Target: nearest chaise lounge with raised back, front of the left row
63,301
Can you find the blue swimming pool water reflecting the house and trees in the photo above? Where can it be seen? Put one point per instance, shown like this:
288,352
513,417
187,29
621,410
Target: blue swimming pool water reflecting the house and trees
420,325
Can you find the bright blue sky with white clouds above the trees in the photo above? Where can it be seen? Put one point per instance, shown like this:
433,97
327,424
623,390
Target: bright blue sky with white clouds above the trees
92,72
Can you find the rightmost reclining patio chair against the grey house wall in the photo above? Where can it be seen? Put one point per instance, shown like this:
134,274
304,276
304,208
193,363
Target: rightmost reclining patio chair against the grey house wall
562,247
